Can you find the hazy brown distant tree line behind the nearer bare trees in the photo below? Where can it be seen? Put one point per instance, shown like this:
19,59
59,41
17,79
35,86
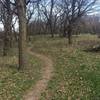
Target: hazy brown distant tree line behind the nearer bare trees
87,24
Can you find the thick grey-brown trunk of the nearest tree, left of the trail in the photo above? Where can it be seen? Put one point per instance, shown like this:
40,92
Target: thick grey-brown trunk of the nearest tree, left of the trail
22,33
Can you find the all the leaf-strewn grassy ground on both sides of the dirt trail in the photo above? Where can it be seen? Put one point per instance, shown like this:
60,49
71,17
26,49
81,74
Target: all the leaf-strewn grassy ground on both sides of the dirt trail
76,70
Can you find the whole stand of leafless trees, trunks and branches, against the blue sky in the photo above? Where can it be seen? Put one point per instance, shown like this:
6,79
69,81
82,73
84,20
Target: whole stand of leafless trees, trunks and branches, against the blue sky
63,17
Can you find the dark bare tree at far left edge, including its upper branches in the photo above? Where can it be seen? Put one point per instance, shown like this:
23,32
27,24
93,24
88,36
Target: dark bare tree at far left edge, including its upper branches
6,17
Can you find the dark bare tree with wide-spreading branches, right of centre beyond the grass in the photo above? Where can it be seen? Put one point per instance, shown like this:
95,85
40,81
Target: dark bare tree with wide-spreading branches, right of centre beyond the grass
73,10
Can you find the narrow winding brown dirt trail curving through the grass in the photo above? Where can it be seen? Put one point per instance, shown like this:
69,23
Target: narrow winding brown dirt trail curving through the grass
41,85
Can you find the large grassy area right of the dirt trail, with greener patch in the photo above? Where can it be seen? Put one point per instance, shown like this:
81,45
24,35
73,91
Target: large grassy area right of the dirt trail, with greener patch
76,69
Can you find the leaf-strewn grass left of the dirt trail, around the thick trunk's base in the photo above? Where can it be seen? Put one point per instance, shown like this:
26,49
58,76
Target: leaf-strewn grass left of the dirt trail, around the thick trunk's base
13,83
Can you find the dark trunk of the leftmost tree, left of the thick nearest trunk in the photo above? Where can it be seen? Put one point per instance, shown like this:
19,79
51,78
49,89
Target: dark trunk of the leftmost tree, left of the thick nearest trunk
7,28
